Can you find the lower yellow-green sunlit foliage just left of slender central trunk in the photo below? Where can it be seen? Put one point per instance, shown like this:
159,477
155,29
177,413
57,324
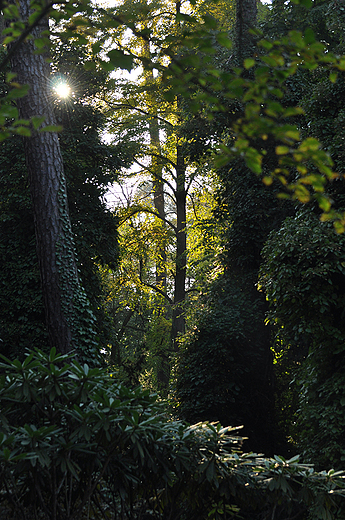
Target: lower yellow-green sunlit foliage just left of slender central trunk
141,322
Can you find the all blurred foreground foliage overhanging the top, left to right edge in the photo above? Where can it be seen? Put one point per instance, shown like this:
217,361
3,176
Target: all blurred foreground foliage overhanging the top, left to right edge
195,77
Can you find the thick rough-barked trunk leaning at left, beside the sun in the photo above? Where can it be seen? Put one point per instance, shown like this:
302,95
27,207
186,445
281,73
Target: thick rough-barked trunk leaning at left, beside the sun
54,240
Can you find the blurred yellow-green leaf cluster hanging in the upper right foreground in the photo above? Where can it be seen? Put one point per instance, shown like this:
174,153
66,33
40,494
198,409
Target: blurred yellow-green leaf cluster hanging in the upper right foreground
263,86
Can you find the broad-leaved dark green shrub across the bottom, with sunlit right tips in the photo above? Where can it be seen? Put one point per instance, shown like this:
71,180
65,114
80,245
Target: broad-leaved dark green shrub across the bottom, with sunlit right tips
76,444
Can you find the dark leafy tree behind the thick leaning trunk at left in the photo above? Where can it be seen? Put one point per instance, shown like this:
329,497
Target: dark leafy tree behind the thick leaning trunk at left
89,166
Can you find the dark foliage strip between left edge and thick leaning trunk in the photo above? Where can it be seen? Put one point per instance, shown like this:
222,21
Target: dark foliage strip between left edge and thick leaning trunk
21,318
